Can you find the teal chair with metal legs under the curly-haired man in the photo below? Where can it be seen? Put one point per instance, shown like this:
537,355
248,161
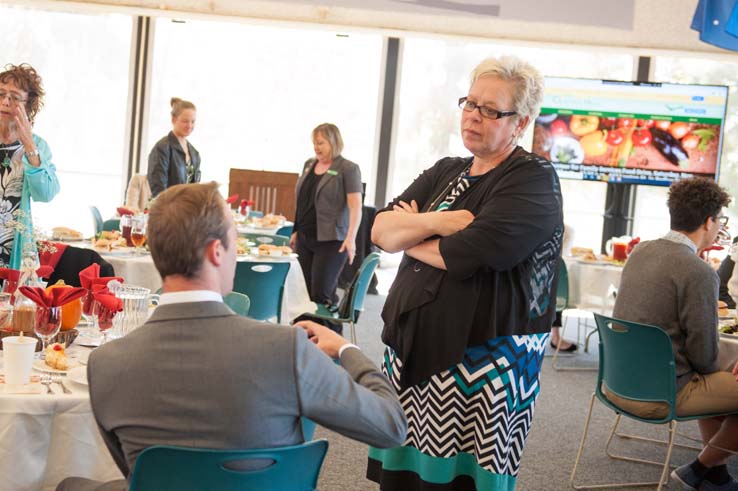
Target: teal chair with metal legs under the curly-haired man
637,363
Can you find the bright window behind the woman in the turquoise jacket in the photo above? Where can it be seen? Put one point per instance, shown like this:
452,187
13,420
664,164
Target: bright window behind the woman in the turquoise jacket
83,60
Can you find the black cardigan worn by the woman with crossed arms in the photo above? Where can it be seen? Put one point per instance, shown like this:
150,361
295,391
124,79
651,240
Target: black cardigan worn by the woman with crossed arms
500,269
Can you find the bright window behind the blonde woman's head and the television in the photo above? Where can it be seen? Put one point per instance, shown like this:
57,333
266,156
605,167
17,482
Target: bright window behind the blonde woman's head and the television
435,73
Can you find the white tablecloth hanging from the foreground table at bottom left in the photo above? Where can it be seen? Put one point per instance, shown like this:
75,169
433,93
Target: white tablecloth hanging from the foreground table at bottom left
45,438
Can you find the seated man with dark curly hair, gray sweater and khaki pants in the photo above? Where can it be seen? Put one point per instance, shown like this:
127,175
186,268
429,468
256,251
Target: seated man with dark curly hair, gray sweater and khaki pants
681,293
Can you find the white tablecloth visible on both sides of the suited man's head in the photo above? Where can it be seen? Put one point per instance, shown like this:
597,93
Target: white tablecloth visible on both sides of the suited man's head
140,271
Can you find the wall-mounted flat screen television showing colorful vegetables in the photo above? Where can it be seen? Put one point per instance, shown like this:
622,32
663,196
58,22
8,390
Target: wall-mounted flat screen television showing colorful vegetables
631,132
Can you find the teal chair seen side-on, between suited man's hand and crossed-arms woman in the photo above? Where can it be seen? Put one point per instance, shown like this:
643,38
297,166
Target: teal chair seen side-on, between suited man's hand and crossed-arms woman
352,302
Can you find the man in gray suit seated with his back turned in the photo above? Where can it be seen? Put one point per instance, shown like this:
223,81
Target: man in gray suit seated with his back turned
198,375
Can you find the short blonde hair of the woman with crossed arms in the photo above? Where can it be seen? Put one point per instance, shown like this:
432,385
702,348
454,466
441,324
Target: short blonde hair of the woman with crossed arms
527,82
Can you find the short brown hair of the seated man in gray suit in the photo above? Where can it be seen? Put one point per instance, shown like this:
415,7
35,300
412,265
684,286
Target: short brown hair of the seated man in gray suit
183,220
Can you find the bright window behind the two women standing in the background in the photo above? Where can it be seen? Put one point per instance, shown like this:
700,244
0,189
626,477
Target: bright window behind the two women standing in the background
261,90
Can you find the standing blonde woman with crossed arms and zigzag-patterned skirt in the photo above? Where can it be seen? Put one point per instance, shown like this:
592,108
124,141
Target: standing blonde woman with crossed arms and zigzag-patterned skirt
468,315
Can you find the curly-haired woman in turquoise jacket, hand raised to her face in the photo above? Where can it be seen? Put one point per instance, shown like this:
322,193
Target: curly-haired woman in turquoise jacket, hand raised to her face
26,171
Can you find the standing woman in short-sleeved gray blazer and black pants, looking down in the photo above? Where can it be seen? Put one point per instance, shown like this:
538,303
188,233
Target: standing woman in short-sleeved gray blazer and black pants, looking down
328,214
